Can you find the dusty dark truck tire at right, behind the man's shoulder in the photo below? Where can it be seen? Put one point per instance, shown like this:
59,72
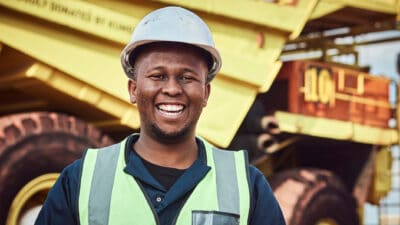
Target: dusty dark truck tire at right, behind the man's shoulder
310,196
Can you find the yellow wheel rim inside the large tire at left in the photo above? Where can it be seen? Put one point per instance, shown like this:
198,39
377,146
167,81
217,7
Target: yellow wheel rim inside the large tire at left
25,204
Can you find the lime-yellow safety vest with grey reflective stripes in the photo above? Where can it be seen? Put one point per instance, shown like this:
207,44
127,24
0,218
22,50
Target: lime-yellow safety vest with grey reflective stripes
108,195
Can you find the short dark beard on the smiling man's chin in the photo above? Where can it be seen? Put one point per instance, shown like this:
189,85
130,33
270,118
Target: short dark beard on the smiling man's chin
172,137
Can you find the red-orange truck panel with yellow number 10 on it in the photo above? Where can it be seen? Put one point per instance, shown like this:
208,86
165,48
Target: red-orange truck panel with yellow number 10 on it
329,91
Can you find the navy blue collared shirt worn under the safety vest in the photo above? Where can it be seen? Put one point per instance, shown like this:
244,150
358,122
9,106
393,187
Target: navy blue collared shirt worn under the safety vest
61,205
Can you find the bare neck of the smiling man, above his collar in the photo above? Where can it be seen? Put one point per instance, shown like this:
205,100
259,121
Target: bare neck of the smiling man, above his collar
179,155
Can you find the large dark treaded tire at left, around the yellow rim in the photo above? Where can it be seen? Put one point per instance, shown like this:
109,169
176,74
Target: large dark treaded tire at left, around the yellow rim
32,144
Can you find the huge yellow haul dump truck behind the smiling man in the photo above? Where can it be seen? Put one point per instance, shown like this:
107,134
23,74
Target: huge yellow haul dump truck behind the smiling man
320,131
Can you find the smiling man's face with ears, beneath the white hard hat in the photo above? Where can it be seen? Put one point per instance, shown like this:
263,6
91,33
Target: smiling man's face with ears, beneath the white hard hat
170,88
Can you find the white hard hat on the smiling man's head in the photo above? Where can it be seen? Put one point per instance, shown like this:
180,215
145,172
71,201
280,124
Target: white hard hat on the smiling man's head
171,24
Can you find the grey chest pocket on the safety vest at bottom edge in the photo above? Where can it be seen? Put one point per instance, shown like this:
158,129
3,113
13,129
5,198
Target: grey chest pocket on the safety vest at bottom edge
214,218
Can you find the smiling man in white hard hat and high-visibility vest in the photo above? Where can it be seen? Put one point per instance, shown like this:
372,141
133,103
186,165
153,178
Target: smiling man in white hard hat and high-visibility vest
165,174
